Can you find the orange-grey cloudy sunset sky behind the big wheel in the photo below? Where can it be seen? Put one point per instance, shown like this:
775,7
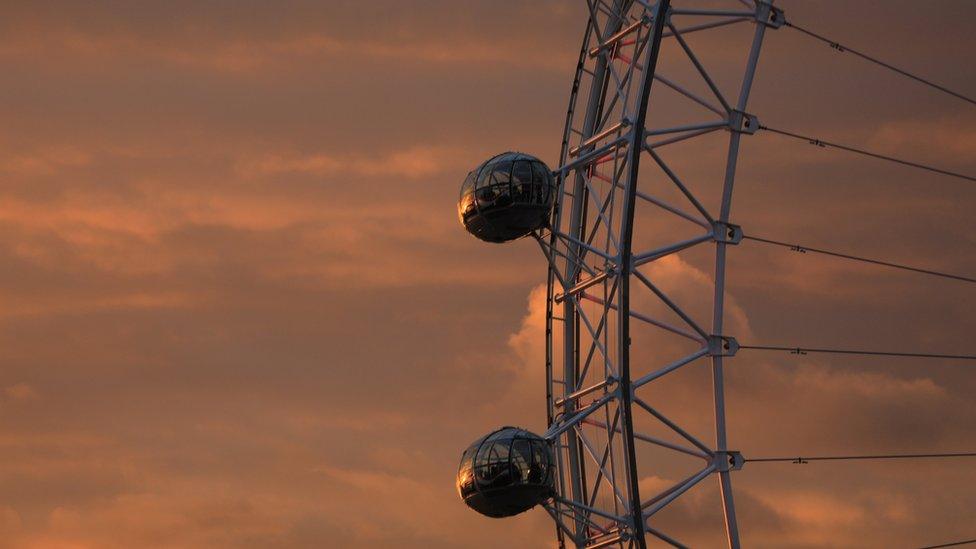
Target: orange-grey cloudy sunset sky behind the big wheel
237,308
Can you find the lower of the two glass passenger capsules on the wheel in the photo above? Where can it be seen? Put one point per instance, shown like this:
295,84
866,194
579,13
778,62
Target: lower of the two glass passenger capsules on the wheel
506,472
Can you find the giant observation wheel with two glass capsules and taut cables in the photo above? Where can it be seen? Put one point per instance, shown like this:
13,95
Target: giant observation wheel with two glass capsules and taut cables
612,221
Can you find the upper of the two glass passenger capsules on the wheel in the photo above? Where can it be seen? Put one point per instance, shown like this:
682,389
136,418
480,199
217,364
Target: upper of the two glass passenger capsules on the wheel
507,197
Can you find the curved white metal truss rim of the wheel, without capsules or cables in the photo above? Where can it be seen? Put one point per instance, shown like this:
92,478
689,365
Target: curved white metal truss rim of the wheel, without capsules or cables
610,148
